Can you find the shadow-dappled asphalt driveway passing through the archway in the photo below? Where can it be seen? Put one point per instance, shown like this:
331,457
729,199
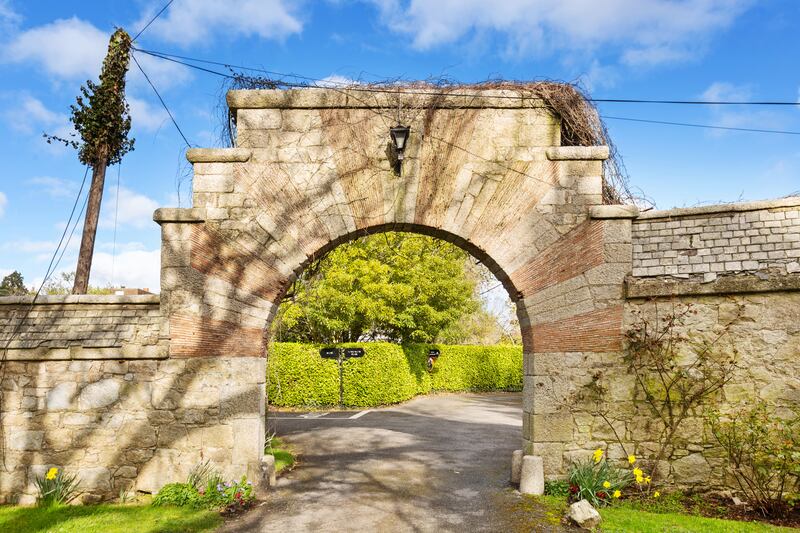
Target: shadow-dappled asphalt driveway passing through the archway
436,463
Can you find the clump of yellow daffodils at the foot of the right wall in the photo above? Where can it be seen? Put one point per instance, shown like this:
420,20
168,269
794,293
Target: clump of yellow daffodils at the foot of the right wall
597,480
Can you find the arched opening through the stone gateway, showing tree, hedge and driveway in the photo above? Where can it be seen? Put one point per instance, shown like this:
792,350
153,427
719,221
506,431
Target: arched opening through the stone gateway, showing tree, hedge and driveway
397,463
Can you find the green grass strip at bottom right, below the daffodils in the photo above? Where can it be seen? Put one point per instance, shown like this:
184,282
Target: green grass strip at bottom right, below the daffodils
627,518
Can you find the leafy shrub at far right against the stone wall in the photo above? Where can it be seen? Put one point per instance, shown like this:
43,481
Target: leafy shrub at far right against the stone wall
763,453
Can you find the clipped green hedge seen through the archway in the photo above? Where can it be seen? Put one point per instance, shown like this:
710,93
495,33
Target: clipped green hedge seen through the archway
388,373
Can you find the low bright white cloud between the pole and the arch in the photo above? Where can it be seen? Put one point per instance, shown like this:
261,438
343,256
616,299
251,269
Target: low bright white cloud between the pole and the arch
134,268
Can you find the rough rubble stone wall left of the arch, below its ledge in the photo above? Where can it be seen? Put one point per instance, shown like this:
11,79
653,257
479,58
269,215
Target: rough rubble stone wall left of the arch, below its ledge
130,424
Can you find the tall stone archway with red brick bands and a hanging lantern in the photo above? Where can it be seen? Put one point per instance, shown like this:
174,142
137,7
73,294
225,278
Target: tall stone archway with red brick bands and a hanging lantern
313,168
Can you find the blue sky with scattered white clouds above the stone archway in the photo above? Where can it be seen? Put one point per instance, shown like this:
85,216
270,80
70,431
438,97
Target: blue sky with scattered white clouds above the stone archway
709,49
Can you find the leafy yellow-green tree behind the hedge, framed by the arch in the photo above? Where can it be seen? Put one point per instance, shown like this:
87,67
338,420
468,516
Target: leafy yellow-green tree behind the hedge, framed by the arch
399,287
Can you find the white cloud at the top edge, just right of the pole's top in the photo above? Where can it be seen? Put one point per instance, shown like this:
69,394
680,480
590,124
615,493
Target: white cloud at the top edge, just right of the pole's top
189,22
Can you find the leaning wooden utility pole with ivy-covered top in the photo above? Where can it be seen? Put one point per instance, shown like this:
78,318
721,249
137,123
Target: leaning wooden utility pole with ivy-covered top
101,118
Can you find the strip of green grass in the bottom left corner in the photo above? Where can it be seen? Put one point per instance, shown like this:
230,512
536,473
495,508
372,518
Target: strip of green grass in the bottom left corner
107,519
